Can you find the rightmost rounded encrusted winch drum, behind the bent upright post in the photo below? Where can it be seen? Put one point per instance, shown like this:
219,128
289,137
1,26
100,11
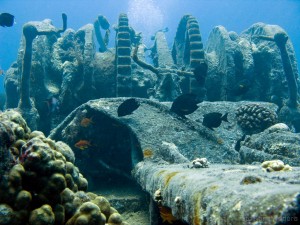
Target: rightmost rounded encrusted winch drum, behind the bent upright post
268,60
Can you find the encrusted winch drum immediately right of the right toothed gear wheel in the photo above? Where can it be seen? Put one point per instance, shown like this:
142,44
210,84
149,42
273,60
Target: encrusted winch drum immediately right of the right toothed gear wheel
229,62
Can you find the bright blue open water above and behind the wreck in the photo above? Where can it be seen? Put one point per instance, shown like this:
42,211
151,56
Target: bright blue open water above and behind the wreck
148,16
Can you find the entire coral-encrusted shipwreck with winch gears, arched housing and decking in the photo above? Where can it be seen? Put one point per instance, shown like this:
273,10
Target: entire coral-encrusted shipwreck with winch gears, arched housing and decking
61,137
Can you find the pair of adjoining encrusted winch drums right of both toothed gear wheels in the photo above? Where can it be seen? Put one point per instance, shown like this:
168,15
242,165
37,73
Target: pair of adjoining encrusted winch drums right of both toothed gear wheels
247,67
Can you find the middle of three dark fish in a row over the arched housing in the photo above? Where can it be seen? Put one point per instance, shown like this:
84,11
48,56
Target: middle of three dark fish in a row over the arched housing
185,104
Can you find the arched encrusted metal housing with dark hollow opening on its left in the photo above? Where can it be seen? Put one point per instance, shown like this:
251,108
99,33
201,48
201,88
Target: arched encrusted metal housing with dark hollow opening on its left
145,134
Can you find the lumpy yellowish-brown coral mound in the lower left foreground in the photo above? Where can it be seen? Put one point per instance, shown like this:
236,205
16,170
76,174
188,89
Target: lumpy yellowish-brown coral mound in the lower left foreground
43,186
